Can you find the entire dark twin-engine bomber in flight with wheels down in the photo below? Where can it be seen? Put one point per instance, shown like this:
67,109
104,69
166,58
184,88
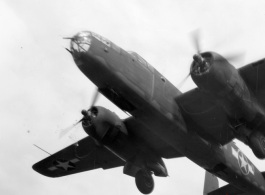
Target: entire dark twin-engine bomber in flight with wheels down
199,124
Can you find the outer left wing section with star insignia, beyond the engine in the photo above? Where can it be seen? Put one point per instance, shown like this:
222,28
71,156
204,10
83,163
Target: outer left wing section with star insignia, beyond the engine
74,159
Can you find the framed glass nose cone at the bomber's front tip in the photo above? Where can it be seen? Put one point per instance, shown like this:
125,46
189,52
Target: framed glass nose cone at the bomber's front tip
81,42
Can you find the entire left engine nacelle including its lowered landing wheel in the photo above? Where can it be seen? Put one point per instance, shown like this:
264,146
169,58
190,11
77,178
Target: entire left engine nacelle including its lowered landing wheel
109,131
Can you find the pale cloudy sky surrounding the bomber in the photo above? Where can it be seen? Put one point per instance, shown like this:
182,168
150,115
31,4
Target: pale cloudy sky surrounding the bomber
42,91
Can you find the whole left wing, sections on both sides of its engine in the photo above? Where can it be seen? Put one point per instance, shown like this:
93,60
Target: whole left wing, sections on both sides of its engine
88,156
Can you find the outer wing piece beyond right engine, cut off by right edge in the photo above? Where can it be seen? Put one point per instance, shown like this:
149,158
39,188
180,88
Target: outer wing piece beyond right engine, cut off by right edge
253,75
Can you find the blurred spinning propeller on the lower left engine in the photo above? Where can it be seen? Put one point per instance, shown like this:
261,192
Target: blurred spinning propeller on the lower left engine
85,113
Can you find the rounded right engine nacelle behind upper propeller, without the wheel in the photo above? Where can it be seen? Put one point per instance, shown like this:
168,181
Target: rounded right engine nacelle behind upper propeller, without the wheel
214,75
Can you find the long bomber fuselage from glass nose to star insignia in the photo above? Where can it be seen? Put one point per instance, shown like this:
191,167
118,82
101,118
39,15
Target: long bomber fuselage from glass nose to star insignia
150,99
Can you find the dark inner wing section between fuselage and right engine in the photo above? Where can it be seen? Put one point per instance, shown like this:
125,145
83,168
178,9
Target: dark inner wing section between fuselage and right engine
202,114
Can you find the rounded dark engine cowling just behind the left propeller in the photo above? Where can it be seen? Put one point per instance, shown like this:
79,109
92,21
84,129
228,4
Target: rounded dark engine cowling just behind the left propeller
103,125
